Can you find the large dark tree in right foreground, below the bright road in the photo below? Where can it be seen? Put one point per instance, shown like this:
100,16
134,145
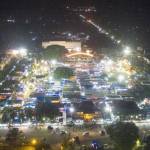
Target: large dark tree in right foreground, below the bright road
124,135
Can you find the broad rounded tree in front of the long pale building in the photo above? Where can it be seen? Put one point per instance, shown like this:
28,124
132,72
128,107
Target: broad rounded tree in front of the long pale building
54,52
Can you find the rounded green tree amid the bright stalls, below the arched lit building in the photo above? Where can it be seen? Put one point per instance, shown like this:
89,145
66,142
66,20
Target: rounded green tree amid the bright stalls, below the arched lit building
63,72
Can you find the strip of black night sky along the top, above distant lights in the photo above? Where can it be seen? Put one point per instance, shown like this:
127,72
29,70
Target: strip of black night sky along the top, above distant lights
44,3
